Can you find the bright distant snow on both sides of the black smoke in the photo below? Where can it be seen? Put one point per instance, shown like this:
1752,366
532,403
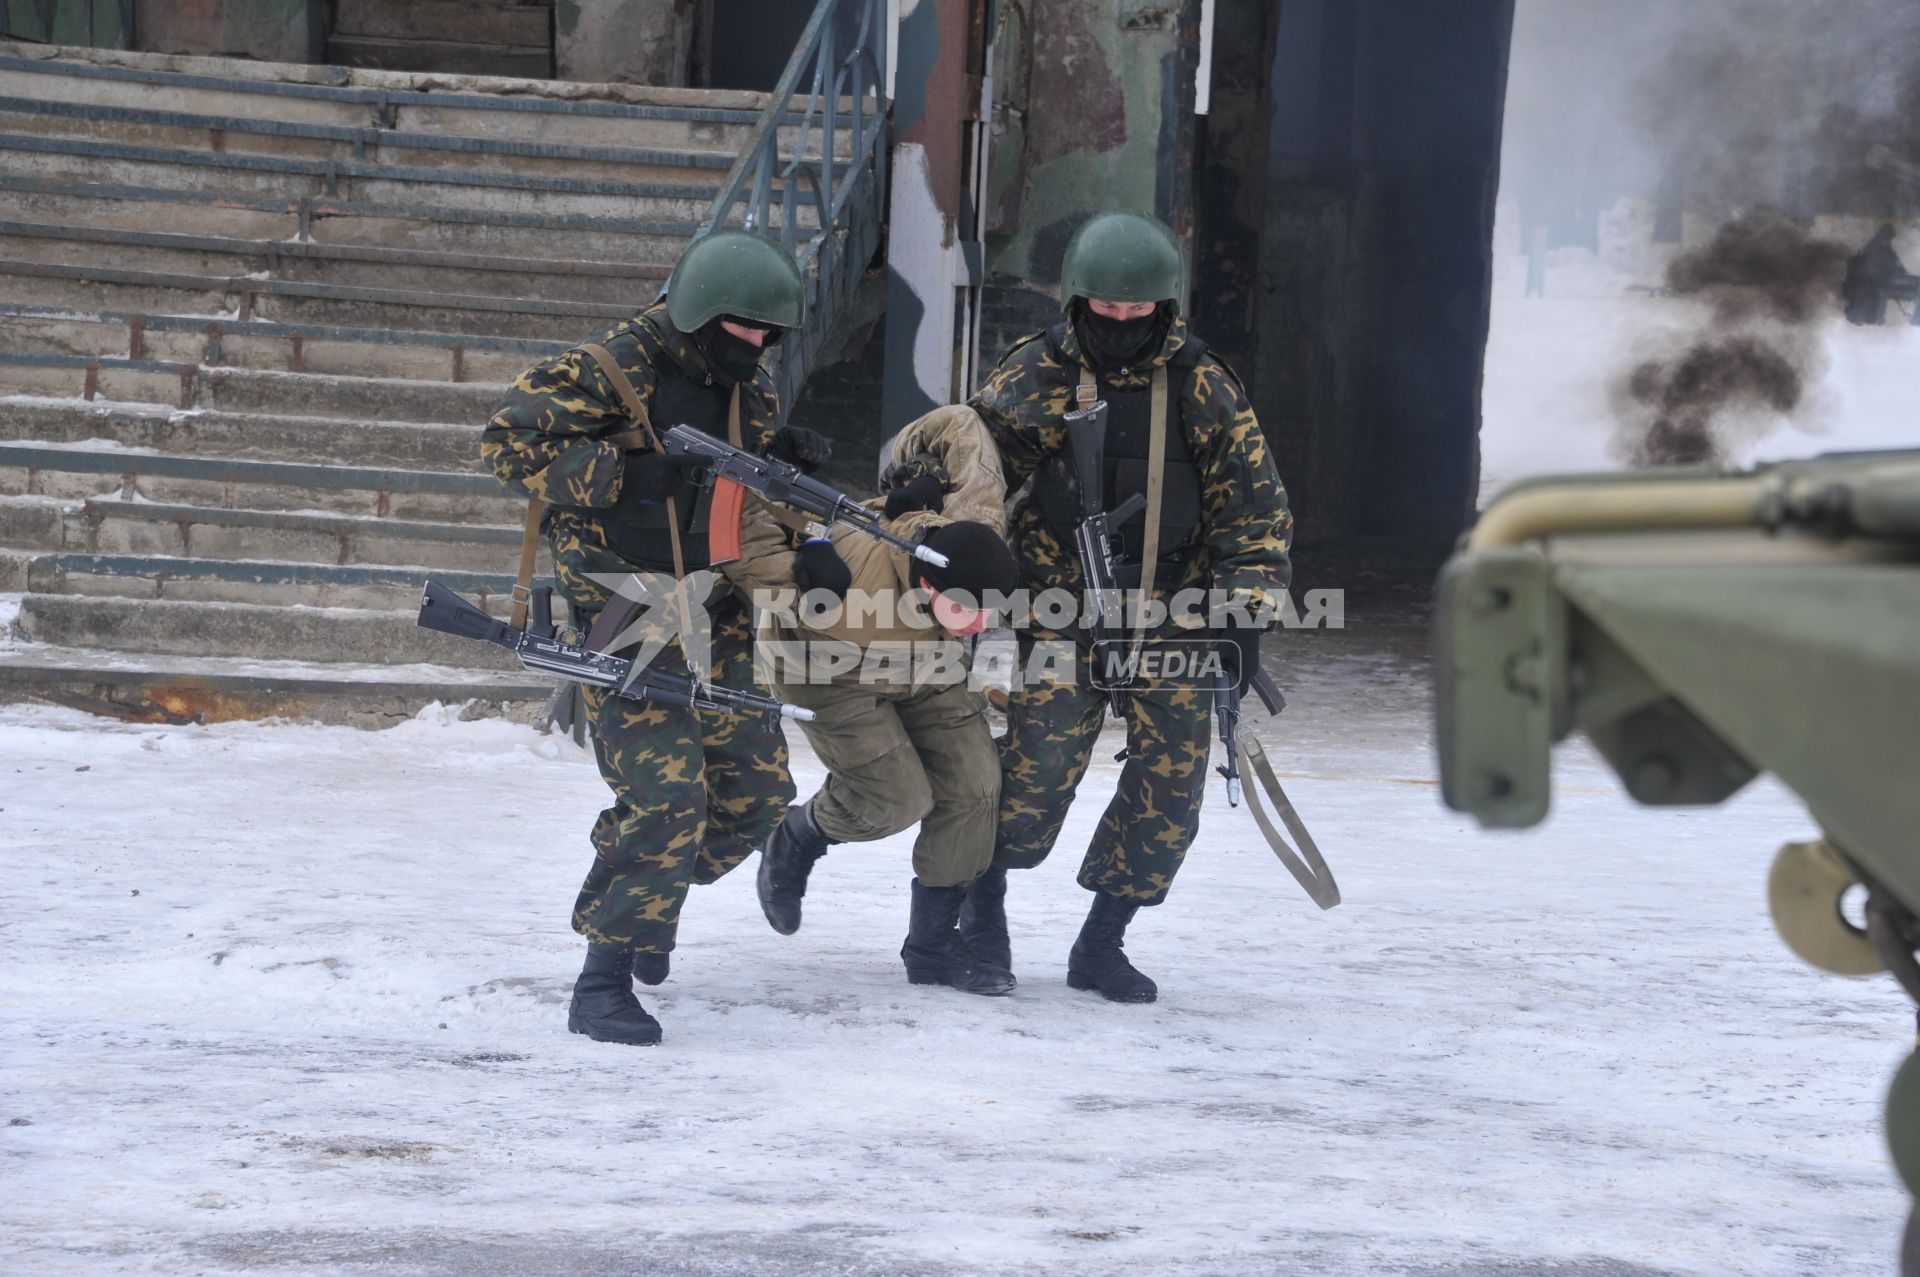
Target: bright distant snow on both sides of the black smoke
1550,364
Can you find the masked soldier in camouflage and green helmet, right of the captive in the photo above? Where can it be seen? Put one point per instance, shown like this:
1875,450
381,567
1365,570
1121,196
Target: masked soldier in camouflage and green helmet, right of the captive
1224,527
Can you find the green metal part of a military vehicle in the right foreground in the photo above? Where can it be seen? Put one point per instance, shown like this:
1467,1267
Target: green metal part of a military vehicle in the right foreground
1700,629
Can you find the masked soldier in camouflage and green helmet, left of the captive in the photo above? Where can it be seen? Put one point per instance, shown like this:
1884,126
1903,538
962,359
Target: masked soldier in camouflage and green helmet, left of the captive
694,790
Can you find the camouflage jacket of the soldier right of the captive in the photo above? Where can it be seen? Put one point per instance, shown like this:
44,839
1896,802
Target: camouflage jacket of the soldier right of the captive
1247,529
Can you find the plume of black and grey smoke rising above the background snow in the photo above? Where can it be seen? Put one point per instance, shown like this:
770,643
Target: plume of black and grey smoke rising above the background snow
1771,118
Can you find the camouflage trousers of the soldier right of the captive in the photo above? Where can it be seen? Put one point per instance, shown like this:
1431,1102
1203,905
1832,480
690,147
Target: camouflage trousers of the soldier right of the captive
1155,811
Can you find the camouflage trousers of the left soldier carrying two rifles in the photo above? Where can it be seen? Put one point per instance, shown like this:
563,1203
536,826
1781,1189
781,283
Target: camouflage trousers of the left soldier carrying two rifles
694,796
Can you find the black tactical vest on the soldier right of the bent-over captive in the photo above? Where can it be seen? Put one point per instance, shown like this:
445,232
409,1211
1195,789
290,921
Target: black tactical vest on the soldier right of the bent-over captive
1128,420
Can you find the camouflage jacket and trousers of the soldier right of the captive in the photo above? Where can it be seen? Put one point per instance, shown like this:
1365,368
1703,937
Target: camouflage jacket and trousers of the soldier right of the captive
1245,541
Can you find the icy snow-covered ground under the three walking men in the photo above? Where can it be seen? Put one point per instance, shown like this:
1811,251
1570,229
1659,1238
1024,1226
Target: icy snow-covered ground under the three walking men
291,1000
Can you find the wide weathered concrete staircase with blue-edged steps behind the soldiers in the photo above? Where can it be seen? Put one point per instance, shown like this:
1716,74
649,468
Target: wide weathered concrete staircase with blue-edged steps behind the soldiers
252,320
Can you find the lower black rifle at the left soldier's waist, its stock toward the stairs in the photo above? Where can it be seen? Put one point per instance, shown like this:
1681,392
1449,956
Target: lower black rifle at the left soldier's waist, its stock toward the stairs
542,650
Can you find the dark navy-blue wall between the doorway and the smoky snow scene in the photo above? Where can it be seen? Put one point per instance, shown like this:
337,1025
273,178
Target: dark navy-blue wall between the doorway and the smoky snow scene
1376,262
